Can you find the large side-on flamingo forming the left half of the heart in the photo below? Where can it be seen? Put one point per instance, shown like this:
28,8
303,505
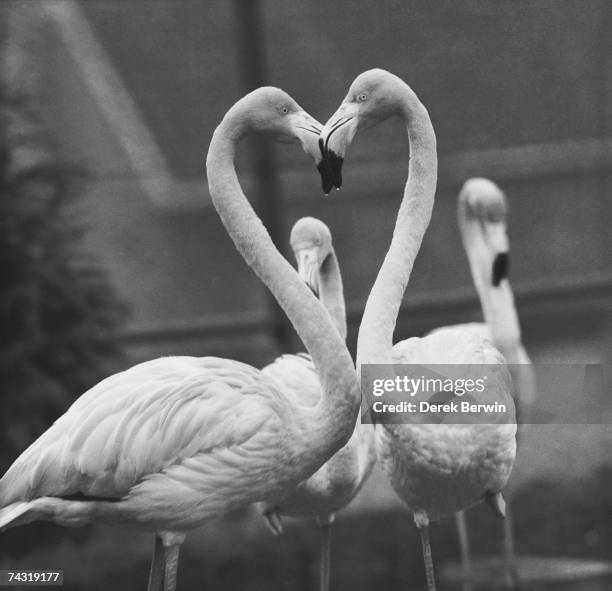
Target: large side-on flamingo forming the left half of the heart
172,443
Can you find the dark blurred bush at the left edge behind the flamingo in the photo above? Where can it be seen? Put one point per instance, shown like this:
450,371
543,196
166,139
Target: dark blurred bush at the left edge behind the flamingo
58,310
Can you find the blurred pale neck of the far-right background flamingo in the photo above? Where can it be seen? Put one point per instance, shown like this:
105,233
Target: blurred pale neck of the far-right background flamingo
497,302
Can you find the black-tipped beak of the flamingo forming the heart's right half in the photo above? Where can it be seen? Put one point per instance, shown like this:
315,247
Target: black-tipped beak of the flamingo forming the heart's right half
336,136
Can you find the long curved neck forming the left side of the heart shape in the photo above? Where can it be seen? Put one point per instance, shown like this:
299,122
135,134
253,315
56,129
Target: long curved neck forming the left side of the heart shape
334,417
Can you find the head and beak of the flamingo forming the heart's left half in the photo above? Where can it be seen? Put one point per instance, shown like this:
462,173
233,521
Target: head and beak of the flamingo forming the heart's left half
272,111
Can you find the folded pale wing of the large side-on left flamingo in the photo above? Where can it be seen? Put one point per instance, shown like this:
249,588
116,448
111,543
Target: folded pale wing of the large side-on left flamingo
139,423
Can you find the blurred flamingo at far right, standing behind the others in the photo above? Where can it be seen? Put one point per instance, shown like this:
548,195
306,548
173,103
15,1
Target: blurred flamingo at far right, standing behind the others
481,212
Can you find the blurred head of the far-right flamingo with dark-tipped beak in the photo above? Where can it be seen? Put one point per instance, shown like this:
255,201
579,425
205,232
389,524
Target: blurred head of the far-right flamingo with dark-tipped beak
482,211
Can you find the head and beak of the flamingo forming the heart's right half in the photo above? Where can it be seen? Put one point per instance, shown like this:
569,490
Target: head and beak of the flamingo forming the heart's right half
374,96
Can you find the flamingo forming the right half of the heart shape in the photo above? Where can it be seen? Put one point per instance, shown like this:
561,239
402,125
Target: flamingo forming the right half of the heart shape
439,469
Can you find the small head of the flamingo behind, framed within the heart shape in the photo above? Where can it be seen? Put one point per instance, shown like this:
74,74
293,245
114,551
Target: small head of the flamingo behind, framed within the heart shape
311,244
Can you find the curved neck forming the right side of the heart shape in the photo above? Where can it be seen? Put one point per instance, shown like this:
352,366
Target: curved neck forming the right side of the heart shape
375,339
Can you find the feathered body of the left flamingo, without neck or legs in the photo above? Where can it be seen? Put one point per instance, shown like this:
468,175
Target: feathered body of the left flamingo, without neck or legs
169,443
